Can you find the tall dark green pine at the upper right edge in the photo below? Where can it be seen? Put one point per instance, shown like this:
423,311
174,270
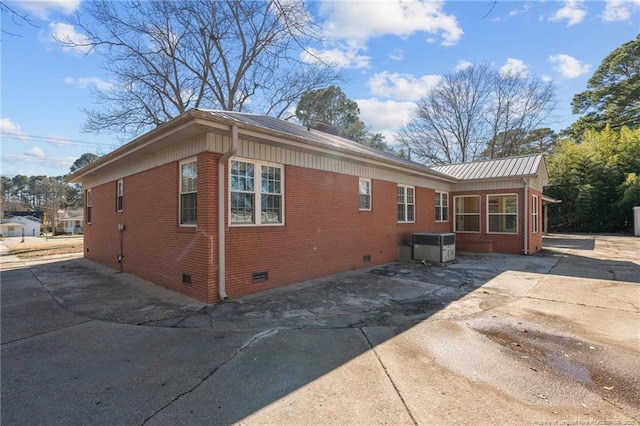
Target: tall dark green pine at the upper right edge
613,92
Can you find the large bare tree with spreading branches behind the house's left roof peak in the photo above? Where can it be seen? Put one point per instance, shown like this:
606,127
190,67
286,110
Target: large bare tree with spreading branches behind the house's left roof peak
169,56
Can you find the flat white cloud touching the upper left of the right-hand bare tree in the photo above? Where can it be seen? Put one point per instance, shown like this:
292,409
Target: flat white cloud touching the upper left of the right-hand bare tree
402,86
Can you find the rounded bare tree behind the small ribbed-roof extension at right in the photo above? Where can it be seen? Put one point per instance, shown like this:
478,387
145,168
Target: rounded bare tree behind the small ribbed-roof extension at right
477,112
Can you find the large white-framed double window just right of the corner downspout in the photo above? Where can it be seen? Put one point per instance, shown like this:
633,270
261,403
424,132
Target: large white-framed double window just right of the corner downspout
256,193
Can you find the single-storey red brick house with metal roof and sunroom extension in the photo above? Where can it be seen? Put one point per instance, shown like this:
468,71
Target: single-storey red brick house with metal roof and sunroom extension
216,204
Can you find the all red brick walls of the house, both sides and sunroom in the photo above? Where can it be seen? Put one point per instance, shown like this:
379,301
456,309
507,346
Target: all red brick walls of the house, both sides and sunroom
324,231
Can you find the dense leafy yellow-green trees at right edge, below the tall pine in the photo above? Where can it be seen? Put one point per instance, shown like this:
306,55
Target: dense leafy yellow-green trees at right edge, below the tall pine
597,181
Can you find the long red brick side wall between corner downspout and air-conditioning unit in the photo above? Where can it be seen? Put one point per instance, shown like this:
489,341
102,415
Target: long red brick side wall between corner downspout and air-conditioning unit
324,232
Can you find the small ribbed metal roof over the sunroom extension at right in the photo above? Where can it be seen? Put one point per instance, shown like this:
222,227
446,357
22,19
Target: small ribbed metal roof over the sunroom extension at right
523,166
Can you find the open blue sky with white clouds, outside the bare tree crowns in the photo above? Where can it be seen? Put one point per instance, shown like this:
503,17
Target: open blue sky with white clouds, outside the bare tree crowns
394,52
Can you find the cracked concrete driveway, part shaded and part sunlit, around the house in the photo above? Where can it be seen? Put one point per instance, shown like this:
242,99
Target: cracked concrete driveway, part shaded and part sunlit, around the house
547,339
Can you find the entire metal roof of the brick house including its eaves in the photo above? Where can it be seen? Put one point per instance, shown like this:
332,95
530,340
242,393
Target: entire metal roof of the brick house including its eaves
264,128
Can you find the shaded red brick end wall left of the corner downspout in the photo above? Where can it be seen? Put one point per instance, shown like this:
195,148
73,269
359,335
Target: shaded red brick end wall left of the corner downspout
154,246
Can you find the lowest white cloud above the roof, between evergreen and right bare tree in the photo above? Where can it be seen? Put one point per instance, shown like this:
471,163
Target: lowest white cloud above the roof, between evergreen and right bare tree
385,116
